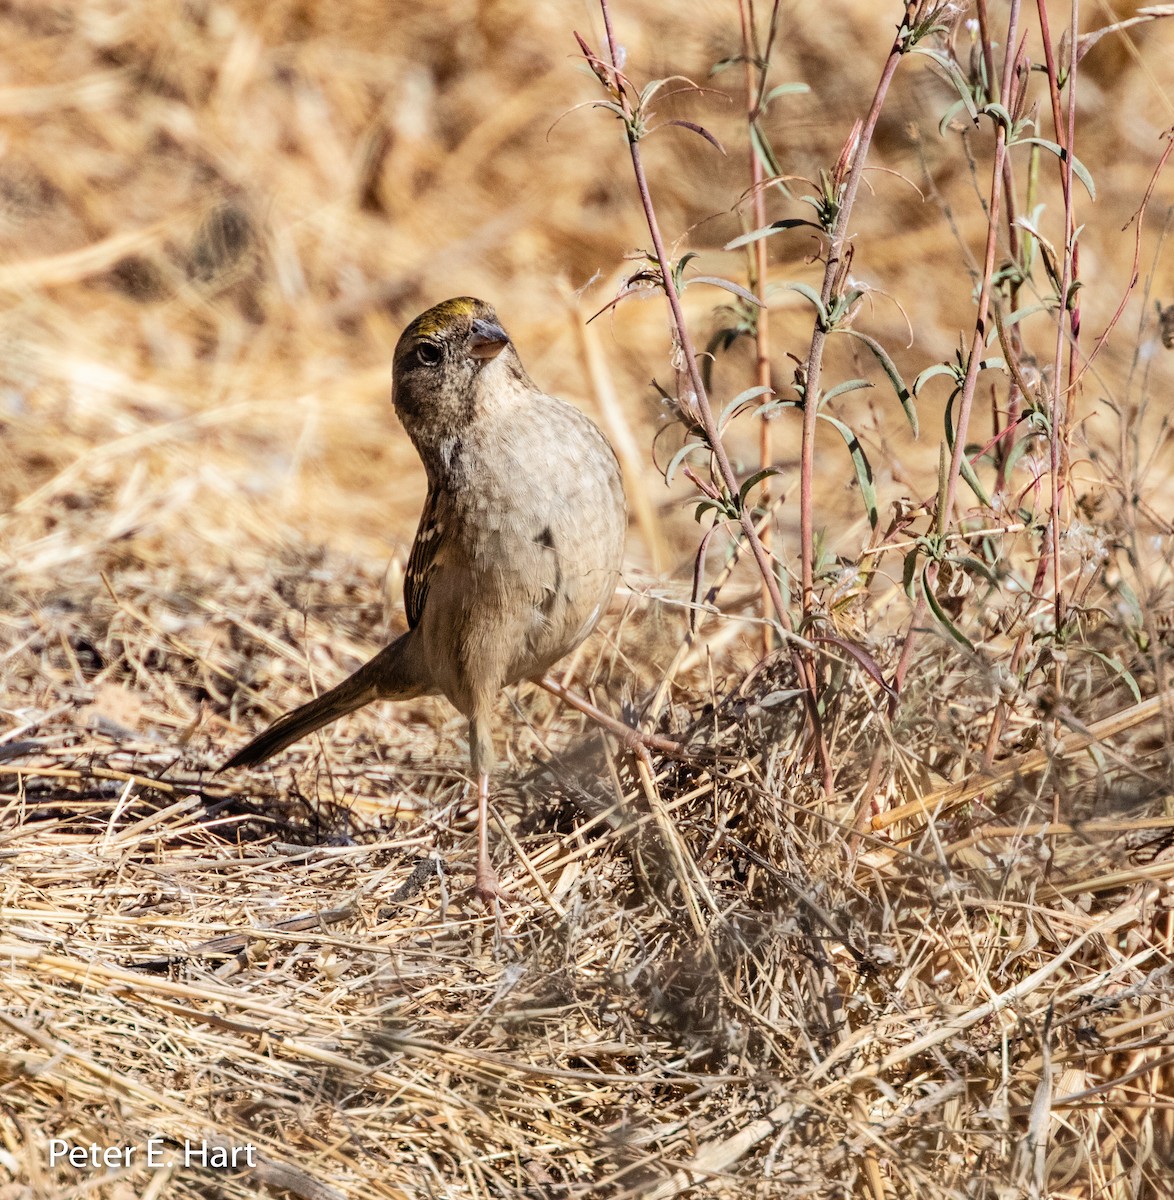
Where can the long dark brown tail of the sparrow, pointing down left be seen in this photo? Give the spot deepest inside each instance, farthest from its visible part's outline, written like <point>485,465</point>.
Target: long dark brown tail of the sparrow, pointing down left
<point>392,675</point>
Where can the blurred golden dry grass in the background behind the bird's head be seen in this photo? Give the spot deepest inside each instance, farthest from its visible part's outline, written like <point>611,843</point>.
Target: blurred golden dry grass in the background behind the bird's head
<point>215,219</point>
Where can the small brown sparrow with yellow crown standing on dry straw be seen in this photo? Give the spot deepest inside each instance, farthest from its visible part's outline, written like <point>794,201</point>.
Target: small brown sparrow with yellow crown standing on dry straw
<point>519,545</point>
